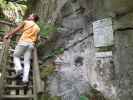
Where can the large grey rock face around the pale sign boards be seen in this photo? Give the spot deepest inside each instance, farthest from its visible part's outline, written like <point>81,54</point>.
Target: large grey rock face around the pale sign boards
<point>79,69</point>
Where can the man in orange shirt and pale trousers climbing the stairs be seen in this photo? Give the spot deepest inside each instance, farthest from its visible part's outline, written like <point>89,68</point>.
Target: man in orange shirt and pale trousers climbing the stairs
<point>29,30</point>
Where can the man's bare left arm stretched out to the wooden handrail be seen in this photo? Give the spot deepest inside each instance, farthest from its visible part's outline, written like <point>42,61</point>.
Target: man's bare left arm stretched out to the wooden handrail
<point>17,29</point>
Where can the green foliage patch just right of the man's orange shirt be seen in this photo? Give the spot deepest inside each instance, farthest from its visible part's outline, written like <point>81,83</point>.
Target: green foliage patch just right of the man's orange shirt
<point>46,29</point>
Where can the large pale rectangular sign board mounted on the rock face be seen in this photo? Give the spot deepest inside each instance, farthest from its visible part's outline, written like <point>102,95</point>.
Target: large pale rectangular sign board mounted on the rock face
<point>103,32</point>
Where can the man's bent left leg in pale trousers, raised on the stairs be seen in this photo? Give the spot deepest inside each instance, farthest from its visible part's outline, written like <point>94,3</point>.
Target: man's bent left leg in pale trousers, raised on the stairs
<point>19,50</point>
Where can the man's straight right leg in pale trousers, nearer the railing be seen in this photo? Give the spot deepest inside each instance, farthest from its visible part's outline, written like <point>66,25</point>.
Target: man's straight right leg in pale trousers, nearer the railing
<point>27,58</point>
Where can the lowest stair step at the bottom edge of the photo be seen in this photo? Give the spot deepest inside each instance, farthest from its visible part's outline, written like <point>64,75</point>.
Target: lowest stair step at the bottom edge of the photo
<point>17,97</point>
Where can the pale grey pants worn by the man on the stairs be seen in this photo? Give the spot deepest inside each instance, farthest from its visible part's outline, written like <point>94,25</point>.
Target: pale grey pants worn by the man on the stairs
<point>25,50</point>
